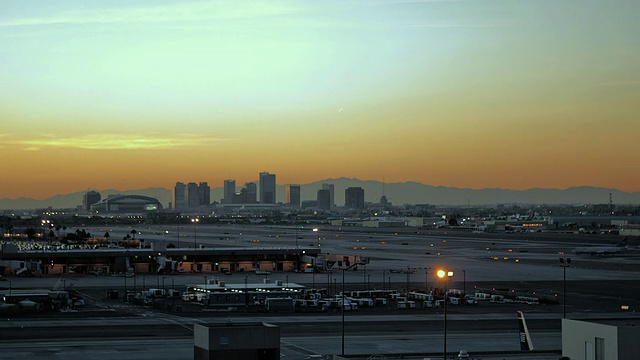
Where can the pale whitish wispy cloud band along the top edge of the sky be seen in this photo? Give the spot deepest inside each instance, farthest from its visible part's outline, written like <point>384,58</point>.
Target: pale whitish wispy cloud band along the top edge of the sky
<point>216,14</point>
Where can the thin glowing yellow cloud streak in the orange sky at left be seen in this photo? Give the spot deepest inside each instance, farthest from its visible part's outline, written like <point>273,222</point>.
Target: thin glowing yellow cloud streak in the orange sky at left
<point>117,142</point>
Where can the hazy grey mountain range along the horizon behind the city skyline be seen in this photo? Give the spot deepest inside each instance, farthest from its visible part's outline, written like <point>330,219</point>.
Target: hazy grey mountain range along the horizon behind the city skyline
<point>396,193</point>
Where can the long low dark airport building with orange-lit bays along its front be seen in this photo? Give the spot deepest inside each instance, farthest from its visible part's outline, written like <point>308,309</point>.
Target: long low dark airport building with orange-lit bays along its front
<point>153,260</point>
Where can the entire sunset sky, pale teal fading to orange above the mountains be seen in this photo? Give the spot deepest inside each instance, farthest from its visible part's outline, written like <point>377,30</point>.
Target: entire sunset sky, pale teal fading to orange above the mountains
<point>510,94</point>
